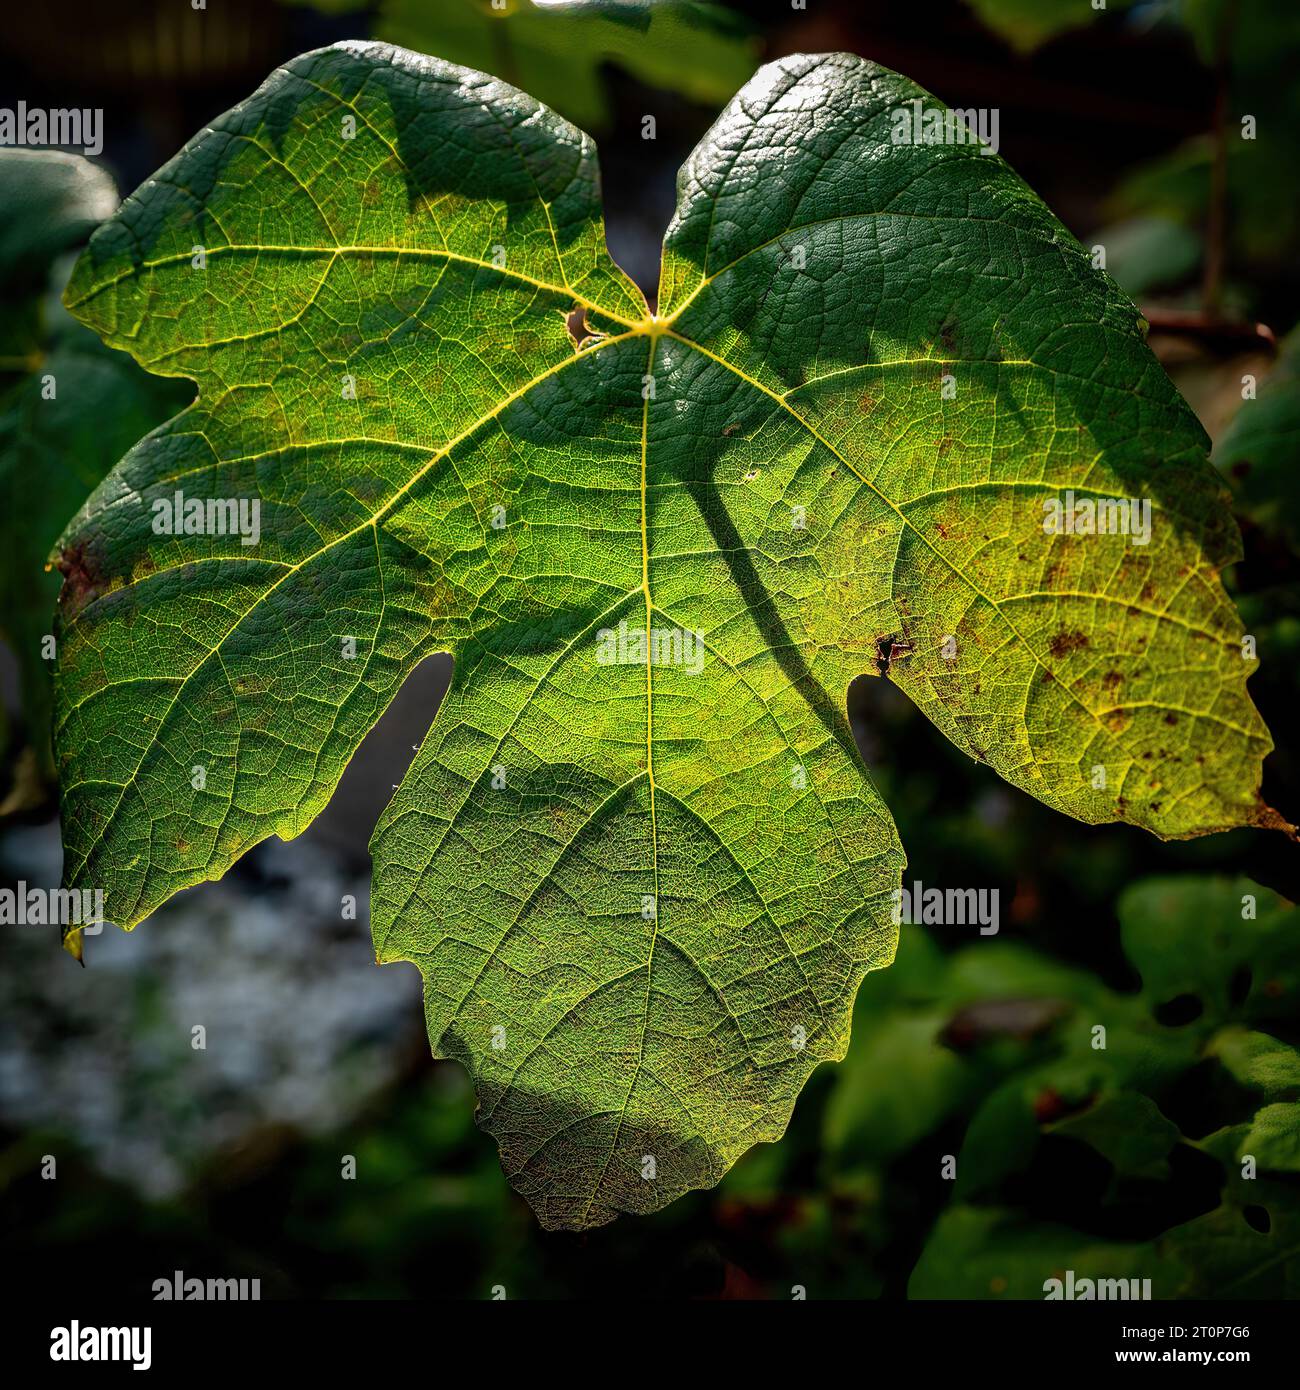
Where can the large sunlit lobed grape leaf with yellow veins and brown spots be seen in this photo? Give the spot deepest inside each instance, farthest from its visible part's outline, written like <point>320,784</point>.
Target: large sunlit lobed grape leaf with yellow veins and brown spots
<point>642,883</point>
